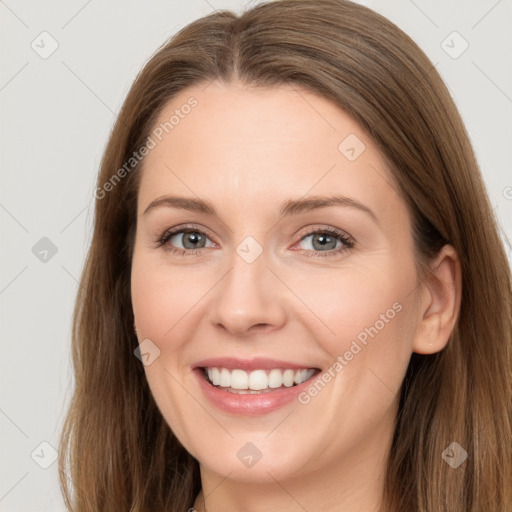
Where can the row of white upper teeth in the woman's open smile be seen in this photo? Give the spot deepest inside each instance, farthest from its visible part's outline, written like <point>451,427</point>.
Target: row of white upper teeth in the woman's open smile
<point>257,380</point>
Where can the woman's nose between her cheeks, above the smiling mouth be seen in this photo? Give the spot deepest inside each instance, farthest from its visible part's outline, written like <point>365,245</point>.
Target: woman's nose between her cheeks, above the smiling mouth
<point>249,298</point>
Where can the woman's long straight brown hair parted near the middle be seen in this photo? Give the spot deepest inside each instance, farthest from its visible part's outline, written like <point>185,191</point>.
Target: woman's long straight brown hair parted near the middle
<point>117,452</point>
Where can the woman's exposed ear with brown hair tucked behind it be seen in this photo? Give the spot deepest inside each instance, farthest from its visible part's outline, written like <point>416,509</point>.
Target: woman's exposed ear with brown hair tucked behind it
<point>439,302</point>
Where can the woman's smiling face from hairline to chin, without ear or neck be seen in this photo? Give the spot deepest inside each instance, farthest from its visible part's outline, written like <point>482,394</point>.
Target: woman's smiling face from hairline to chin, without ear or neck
<point>291,253</point>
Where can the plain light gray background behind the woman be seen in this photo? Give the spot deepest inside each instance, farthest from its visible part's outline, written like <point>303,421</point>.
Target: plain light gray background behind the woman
<point>57,114</point>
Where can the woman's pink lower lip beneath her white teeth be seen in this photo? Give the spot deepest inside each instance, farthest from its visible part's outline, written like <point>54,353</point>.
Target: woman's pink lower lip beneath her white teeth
<point>249,404</point>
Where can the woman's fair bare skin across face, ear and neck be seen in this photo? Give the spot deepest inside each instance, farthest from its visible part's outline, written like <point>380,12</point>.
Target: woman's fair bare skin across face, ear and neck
<point>247,150</point>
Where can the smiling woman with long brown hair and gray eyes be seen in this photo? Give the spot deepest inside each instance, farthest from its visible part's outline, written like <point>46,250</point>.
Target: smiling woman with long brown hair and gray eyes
<point>296,297</point>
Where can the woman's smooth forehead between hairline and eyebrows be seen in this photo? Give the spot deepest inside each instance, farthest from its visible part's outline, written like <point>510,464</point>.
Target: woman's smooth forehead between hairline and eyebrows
<point>244,143</point>
